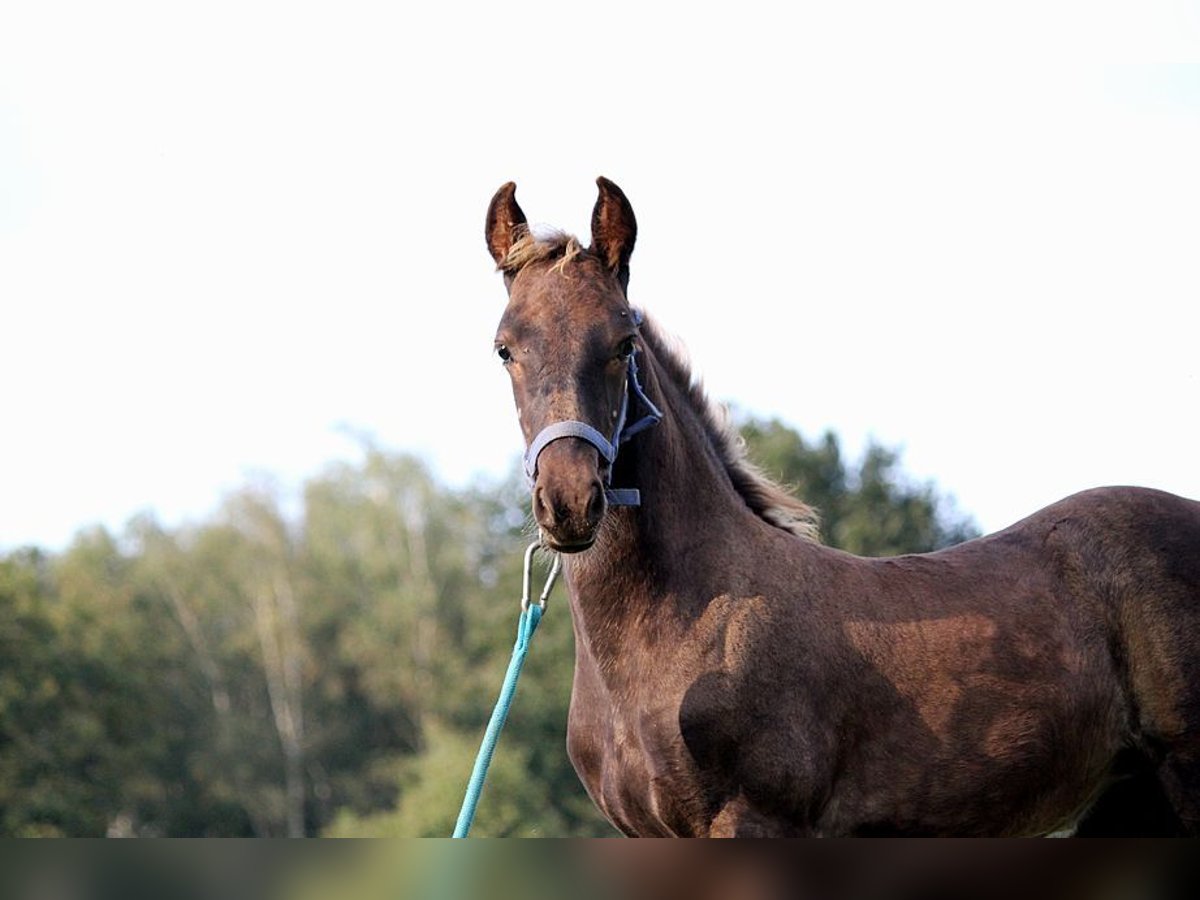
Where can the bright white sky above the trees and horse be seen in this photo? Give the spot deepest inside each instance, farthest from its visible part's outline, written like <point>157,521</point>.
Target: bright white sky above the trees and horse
<point>238,237</point>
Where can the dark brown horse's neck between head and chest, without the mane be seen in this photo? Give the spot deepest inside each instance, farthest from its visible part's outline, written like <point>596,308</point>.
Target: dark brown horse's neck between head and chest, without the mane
<point>659,561</point>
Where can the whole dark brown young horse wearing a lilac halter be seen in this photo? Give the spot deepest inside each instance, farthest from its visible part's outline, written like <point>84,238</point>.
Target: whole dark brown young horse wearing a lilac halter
<point>735,677</point>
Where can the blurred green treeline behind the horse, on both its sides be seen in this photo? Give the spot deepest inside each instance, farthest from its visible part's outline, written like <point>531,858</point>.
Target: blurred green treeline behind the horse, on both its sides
<point>326,667</point>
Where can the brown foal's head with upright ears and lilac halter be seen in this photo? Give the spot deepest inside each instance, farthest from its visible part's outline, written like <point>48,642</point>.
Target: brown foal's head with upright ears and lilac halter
<point>569,341</point>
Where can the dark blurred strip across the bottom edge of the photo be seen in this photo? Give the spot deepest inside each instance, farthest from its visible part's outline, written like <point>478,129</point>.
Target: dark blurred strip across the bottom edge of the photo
<point>602,871</point>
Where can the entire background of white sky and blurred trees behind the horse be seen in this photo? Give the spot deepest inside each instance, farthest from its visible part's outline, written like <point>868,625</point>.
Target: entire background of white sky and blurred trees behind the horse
<point>260,520</point>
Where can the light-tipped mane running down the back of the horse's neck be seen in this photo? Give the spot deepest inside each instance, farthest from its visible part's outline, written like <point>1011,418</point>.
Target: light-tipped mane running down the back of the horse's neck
<point>769,500</point>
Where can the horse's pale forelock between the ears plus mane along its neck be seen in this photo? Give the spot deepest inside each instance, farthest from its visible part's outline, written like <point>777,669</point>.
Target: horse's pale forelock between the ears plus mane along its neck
<point>770,501</point>
